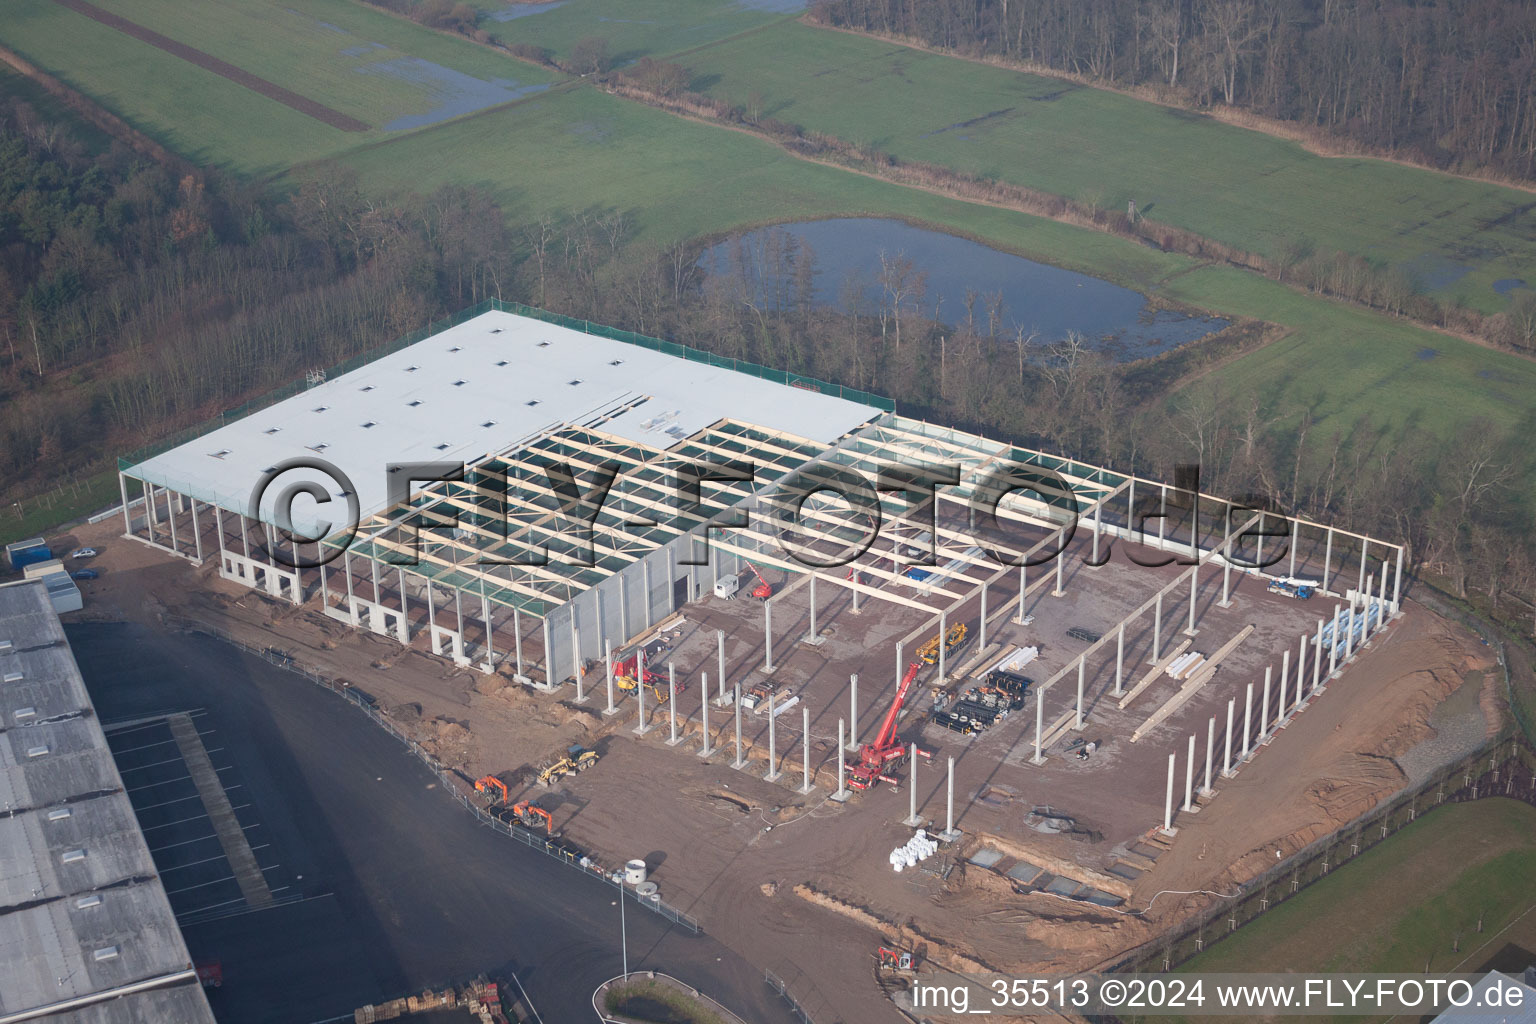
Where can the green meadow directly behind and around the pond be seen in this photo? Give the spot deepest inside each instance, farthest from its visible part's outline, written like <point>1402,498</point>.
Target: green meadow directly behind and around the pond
<point>681,180</point>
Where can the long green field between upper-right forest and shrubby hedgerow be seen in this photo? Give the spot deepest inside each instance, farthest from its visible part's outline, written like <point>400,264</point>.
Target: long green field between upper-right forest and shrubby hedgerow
<point>1242,188</point>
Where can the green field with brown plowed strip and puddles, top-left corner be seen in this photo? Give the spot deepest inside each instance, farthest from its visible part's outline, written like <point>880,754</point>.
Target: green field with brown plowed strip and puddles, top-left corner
<point>391,74</point>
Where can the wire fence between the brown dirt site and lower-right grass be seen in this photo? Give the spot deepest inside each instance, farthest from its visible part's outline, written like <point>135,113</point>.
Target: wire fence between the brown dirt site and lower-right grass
<point>1501,768</point>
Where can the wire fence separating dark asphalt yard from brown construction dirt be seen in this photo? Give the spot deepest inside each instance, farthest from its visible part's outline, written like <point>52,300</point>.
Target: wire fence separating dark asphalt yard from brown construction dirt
<point>554,847</point>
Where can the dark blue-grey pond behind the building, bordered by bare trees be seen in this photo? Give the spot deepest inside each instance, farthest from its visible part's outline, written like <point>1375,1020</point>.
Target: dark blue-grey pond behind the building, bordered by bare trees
<point>1039,299</point>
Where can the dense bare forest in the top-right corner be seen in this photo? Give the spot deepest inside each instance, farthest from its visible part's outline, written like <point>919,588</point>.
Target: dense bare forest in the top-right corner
<point>1449,84</point>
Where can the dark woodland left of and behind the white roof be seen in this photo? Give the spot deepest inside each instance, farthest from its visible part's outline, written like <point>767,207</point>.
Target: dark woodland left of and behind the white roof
<point>136,302</point>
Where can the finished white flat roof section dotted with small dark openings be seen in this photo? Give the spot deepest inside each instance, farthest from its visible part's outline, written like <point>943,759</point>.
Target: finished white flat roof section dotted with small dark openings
<point>485,388</point>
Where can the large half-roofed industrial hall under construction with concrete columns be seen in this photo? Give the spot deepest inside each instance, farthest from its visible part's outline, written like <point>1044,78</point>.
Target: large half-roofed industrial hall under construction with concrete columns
<point>603,491</point>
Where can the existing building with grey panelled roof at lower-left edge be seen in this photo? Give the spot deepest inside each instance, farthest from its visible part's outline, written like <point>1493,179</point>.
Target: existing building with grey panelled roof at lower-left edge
<point>87,933</point>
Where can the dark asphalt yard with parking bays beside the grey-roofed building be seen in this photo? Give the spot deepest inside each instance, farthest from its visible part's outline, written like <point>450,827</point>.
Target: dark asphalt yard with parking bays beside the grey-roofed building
<point>391,885</point>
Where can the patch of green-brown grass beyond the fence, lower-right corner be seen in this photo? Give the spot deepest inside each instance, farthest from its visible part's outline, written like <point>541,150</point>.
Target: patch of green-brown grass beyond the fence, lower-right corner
<point>1402,905</point>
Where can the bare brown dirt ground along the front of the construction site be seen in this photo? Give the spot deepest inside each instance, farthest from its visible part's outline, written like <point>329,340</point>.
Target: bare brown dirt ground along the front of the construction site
<point>799,884</point>
